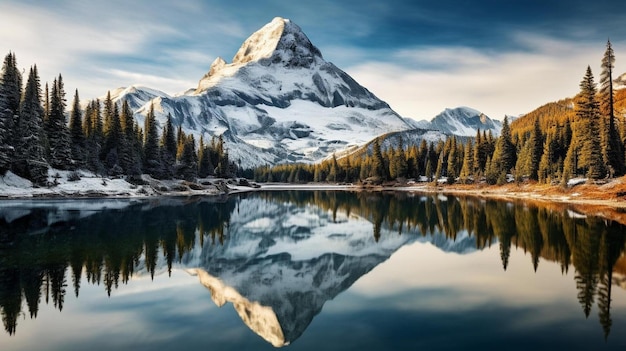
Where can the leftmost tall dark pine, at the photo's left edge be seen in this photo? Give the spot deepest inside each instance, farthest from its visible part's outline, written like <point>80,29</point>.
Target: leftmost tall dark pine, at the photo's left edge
<point>10,93</point>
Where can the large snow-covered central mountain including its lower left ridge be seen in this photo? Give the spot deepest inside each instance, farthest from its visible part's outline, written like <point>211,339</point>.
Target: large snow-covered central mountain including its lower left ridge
<point>277,101</point>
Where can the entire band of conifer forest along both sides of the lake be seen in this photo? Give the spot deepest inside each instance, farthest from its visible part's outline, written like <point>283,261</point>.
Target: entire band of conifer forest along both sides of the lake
<point>570,138</point>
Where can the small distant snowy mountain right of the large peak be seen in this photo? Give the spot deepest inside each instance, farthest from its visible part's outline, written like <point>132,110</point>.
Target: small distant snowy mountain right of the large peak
<point>461,121</point>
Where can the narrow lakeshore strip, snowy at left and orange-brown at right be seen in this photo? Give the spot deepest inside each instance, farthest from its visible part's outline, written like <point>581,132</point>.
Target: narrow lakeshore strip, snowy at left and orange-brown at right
<point>607,200</point>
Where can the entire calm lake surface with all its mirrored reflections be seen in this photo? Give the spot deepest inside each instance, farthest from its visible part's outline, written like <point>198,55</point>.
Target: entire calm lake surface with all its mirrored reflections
<point>309,271</point>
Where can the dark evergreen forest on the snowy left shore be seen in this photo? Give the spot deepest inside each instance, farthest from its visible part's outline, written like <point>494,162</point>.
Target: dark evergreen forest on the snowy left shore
<point>35,135</point>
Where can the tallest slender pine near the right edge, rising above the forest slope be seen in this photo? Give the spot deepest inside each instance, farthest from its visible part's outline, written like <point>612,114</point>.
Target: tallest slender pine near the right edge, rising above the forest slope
<point>612,146</point>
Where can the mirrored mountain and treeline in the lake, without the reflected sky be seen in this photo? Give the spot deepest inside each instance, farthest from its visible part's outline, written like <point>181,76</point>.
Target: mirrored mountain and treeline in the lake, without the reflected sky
<point>279,257</point>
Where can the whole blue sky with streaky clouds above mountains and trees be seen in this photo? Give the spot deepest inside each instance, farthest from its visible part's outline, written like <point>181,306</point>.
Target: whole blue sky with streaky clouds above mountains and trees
<point>421,56</point>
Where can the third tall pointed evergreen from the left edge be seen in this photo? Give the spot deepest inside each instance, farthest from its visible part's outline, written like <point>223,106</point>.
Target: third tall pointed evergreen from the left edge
<point>58,133</point>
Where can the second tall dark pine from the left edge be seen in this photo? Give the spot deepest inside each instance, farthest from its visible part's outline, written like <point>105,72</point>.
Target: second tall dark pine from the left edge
<point>29,161</point>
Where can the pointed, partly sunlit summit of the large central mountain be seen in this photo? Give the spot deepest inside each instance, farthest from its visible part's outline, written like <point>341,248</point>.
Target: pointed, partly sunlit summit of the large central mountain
<point>278,41</point>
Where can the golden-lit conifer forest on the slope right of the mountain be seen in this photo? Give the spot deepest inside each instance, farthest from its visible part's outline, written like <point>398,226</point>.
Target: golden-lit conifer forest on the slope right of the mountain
<point>570,138</point>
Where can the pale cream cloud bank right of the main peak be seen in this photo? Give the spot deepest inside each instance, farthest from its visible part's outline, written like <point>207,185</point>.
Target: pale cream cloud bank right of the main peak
<point>512,82</point>
